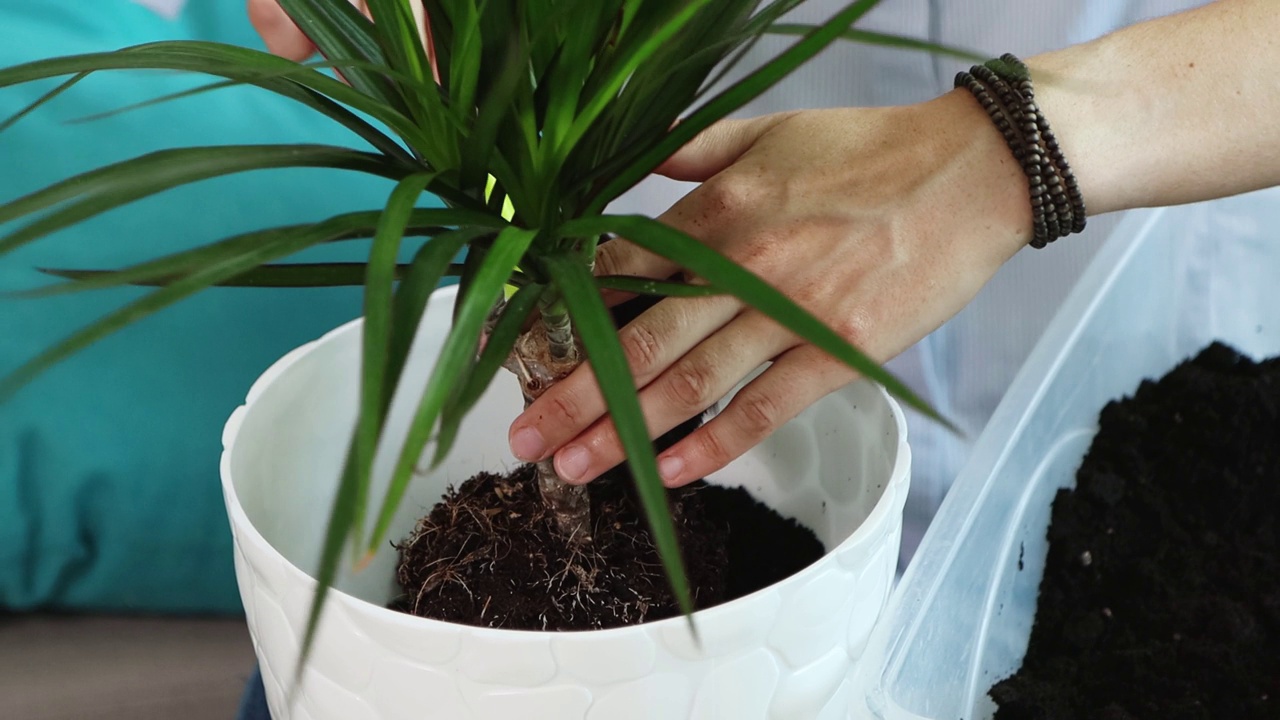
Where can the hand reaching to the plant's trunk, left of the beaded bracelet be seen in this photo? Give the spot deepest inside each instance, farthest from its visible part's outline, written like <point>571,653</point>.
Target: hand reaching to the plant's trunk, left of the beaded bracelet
<point>881,222</point>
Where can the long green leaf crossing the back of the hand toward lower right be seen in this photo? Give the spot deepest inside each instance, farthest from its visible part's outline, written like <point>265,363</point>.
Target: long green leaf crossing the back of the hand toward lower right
<point>729,276</point>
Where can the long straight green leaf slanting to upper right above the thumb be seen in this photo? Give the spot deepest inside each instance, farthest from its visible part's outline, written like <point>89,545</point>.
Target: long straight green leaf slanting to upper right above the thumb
<point>734,98</point>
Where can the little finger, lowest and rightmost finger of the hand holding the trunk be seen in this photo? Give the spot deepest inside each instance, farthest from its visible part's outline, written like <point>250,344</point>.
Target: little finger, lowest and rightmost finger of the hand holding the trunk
<point>799,379</point>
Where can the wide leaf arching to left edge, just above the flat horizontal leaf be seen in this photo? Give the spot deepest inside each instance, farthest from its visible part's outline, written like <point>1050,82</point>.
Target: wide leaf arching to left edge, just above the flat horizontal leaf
<point>106,189</point>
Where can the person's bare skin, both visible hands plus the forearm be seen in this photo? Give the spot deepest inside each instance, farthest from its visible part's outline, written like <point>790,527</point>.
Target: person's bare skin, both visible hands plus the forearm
<point>886,222</point>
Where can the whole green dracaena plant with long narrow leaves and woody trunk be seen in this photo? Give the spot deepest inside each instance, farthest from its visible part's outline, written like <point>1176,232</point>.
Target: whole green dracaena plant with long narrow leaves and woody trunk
<point>527,119</point>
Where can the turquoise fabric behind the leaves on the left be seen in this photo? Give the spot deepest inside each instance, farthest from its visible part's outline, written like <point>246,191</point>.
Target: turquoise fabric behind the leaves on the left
<point>109,491</point>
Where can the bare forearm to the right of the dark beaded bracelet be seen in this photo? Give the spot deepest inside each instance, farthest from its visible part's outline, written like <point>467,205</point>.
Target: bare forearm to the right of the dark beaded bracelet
<point>1178,110</point>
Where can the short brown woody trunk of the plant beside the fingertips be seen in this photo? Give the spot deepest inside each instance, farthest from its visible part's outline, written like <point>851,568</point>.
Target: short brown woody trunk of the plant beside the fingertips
<point>543,357</point>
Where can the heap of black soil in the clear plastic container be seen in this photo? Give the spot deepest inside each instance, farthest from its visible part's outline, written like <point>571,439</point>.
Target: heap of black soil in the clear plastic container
<point>1162,593</point>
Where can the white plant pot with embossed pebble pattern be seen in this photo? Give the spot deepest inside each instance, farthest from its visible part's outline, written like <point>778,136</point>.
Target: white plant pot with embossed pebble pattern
<point>784,653</point>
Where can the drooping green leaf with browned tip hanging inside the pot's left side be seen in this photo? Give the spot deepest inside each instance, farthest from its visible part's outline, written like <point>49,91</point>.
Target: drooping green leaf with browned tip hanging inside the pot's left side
<point>459,352</point>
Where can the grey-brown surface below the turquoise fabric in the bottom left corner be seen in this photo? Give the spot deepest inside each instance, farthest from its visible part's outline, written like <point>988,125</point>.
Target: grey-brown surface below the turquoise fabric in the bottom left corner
<point>56,668</point>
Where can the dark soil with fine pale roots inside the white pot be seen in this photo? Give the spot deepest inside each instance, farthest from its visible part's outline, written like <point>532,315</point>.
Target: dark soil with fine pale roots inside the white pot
<point>490,554</point>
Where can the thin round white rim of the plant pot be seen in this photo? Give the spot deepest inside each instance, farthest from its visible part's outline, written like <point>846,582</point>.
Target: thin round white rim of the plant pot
<point>892,500</point>
